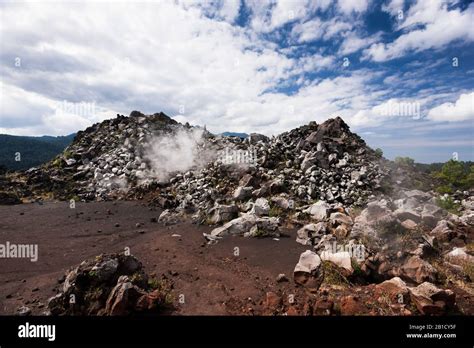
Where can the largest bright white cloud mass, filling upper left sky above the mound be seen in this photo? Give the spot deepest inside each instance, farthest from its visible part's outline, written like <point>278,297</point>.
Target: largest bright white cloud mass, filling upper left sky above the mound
<point>162,56</point>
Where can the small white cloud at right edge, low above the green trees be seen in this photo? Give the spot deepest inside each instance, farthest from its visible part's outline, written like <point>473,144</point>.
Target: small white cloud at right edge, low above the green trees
<point>462,109</point>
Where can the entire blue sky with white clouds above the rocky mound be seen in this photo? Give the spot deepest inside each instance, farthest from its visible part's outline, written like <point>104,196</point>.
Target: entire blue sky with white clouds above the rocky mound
<point>400,73</point>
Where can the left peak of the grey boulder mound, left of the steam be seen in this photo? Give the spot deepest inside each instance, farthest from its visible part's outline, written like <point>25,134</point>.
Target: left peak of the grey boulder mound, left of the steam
<point>103,160</point>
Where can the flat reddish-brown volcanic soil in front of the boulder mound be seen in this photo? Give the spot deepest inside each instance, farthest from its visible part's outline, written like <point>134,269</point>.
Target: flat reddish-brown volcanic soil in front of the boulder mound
<point>207,275</point>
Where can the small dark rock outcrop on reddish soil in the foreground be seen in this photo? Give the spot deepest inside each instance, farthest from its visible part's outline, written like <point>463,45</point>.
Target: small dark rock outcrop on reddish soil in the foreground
<point>110,285</point>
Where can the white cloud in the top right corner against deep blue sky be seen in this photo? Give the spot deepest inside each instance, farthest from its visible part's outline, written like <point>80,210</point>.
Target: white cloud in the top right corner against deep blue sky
<point>440,26</point>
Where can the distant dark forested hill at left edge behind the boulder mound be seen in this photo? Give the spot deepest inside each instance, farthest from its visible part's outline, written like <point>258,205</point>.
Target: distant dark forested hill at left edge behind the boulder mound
<point>33,150</point>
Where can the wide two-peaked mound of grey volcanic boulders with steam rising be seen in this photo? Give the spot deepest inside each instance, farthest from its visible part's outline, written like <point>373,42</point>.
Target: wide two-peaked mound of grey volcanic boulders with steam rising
<point>131,156</point>
